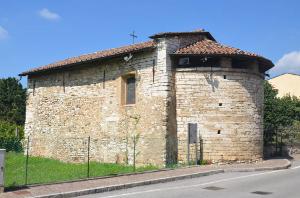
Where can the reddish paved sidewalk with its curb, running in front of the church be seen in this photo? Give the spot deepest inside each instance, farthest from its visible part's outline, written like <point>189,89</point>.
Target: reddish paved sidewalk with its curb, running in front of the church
<point>71,189</point>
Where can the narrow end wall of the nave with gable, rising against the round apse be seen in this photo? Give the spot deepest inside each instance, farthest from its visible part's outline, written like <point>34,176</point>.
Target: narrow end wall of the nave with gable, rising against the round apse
<point>165,47</point>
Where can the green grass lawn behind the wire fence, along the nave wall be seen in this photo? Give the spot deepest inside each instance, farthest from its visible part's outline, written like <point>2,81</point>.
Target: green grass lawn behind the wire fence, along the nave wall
<point>45,170</point>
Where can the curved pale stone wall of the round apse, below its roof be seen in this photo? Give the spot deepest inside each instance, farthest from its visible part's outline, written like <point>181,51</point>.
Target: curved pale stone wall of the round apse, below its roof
<point>225,101</point>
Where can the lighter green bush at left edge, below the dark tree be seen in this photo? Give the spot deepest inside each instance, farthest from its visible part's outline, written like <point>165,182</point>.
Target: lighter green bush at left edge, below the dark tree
<point>9,140</point>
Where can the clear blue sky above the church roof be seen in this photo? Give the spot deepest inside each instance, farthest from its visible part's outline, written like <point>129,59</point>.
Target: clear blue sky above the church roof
<point>34,33</point>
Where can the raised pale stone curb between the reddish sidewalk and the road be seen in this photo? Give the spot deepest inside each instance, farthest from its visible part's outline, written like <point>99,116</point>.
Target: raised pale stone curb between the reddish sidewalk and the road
<point>128,185</point>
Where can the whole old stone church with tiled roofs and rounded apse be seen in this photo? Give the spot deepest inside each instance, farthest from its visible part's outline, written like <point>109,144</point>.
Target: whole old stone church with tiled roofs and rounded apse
<point>173,91</point>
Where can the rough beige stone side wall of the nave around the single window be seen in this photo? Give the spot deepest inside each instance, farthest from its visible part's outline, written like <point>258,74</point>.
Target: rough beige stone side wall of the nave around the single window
<point>65,107</point>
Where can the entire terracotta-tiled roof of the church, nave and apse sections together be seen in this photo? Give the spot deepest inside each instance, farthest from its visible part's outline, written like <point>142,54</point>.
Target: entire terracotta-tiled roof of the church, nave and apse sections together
<point>207,46</point>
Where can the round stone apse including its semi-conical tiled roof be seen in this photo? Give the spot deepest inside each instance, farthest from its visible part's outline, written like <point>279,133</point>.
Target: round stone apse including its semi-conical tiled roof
<point>220,90</point>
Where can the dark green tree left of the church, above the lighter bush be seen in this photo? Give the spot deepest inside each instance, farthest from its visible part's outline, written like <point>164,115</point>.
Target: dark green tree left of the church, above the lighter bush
<point>12,101</point>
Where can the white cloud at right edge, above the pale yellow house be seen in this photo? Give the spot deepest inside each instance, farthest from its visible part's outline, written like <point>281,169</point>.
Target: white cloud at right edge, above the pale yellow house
<point>288,63</point>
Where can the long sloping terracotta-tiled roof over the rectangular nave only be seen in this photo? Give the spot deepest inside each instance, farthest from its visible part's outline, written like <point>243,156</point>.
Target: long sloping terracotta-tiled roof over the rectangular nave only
<point>114,52</point>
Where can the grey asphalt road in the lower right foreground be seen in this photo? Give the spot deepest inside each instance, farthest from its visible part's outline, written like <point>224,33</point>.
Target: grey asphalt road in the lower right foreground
<point>278,184</point>
